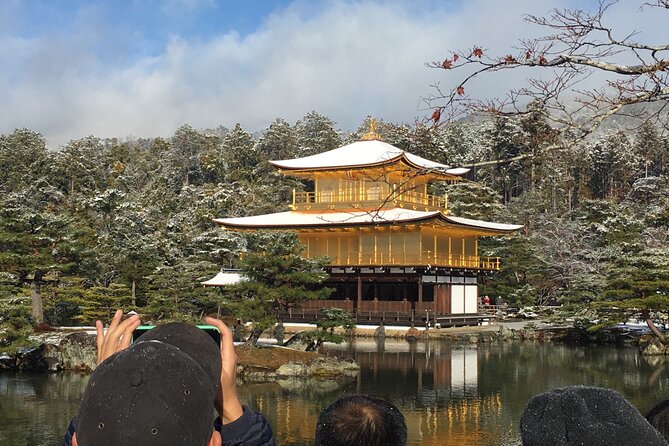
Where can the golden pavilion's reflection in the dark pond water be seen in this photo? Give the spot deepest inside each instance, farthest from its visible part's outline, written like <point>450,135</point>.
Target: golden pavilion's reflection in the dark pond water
<point>434,385</point>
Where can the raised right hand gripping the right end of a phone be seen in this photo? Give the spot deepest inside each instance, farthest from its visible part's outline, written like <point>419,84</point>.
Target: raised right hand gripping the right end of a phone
<point>227,402</point>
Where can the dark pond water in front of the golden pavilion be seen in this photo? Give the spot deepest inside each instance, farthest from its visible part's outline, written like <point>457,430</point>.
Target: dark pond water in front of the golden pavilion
<point>450,395</point>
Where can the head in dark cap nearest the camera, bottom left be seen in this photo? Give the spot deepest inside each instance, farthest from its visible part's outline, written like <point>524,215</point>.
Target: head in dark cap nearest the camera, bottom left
<point>149,393</point>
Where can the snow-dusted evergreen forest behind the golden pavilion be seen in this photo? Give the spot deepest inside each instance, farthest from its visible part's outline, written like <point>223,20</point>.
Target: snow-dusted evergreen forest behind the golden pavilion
<point>100,224</point>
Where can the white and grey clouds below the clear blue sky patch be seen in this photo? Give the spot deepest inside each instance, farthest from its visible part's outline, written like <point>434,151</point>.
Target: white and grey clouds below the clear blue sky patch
<point>345,61</point>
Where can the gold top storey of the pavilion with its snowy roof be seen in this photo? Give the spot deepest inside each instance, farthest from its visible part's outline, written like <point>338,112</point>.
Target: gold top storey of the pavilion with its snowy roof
<point>368,174</point>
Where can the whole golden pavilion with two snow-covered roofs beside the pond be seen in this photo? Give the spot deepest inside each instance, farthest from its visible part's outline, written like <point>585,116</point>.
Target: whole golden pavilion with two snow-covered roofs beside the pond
<point>396,254</point>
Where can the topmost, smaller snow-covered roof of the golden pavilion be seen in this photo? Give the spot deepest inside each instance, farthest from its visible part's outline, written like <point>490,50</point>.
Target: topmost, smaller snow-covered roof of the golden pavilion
<point>364,153</point>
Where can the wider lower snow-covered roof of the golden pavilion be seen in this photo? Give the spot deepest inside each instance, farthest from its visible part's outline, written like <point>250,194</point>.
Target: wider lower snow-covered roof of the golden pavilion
<point>297,219</point>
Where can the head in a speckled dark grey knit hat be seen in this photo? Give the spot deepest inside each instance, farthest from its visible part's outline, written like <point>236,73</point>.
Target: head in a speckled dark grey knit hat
<point>581,415</point>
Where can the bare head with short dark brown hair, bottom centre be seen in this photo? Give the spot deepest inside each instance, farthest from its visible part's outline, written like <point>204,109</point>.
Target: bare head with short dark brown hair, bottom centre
<point>367,420</point>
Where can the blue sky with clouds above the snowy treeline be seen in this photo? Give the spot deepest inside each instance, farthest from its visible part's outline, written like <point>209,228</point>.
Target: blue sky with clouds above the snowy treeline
<point>143,68</point>
